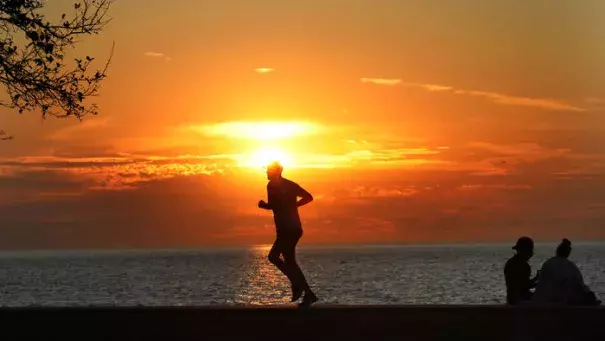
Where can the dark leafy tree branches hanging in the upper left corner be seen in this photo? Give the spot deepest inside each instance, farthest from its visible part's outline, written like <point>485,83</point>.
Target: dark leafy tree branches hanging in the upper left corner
<point>33,63</point>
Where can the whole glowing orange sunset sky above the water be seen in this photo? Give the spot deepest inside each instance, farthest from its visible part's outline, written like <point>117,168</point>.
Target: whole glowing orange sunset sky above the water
<point>410,121</point>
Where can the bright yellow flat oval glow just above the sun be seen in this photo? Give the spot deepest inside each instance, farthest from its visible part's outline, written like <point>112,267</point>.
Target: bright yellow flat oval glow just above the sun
<point>259,130</point>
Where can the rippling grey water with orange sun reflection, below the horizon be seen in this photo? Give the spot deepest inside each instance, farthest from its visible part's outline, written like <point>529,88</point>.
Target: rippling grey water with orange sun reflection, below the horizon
<point>458,274</point>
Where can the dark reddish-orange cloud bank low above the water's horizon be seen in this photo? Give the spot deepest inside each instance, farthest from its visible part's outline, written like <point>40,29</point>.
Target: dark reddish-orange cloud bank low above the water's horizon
<point>70,203</point>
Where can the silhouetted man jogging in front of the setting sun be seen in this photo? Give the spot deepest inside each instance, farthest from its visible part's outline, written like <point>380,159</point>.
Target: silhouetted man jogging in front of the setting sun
<point>283,200</point>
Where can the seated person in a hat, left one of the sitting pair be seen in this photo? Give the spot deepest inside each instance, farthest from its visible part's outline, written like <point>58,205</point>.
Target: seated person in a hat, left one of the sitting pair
<point>517,273</point>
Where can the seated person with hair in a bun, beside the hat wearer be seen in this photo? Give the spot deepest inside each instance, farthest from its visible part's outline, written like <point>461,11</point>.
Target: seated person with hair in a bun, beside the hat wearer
<point>561,281</point>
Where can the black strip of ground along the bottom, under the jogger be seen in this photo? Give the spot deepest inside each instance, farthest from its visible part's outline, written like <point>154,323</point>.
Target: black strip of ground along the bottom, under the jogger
<point>316,323</point>
